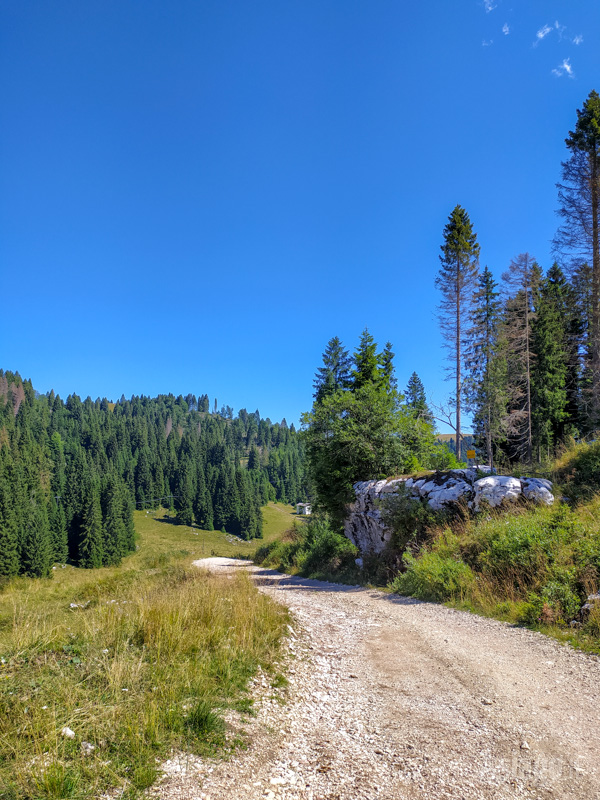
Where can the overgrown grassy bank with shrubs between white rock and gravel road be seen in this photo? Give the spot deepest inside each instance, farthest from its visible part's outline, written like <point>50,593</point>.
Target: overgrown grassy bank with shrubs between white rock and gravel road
<point>525,564</point>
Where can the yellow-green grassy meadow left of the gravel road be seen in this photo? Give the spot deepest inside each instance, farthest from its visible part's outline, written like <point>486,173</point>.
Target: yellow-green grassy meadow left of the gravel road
<point>103,672</point>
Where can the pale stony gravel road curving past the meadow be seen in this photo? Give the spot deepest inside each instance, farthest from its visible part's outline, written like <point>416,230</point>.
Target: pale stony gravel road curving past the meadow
<point>393,698</point>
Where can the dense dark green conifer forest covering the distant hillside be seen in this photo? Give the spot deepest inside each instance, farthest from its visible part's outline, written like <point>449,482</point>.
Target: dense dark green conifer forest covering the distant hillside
<point>71,473</point>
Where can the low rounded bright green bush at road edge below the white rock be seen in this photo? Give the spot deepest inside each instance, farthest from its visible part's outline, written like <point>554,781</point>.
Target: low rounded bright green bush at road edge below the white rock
<point>433,577</point>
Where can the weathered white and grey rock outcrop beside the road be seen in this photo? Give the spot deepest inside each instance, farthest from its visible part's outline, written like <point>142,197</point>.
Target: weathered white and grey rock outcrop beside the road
<point>364,524</point>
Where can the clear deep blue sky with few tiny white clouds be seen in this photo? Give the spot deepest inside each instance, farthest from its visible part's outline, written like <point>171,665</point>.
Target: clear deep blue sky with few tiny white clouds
<point>195,196</point>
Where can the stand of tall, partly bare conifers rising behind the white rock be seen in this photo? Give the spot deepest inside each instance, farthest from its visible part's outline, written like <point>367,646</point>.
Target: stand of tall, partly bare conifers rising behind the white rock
<point>525,353</point>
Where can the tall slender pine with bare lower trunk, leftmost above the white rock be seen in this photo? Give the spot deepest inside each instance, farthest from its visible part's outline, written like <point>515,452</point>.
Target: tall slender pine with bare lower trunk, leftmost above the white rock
<point>456,281</point>
